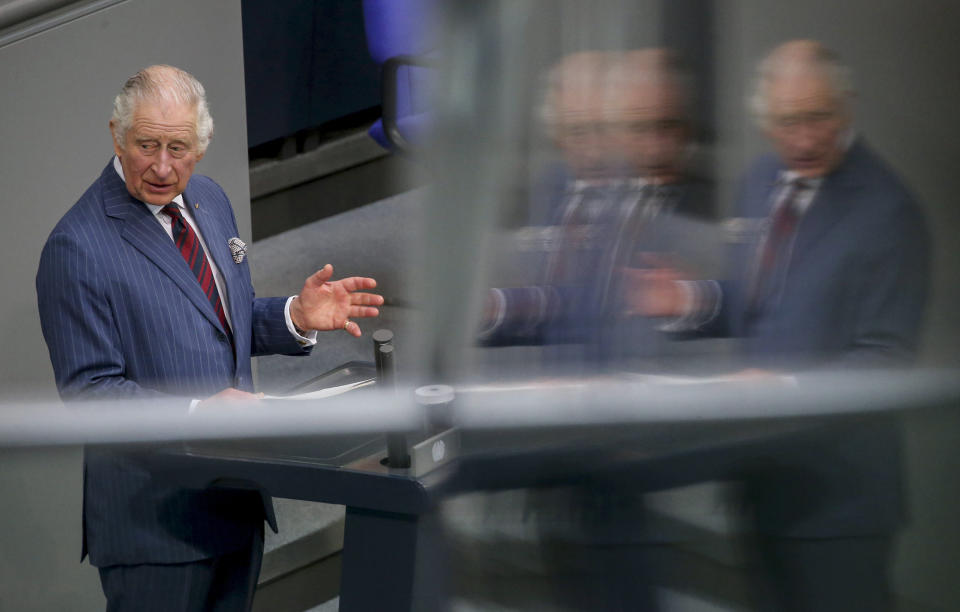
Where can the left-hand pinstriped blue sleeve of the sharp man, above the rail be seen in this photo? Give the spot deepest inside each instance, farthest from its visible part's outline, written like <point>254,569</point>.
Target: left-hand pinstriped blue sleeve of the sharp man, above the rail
<point>78,325</point>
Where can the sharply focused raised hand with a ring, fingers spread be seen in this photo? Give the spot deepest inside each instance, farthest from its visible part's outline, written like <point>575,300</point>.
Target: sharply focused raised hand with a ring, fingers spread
<point>326,305</point>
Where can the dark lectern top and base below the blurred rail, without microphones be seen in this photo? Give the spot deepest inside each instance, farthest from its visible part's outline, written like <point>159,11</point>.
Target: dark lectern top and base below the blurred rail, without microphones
<point>389,512</point>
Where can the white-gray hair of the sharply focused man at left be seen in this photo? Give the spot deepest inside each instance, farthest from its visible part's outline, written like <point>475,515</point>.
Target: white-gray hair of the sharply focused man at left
<point>162,83</point>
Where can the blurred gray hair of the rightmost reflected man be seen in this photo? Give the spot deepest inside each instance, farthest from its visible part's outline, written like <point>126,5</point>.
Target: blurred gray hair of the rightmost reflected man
<point>800,55</point>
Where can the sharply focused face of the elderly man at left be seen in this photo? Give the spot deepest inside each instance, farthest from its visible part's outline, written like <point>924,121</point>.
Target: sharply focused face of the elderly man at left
<point>159,151</point>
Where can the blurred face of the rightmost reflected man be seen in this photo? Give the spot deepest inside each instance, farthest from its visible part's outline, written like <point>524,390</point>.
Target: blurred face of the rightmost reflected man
<point>806,122</point>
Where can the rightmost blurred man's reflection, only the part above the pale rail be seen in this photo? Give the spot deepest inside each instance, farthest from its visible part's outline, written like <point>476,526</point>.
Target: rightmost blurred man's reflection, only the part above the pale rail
<point>831,269</point>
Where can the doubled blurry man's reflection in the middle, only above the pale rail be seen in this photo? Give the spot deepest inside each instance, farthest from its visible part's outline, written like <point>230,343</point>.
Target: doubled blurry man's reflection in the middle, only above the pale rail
<point>620,122</point>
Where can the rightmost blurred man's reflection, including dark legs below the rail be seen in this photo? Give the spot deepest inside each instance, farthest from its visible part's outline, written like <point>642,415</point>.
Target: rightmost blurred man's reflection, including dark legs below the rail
<point>831,274</point>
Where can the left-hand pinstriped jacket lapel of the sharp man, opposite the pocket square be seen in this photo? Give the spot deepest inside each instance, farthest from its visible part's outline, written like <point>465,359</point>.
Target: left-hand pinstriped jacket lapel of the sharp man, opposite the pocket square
<point>144,233</point>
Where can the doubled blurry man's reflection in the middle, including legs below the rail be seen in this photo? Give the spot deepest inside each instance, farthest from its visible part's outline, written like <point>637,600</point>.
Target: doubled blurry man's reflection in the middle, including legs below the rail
<point>624,194</point>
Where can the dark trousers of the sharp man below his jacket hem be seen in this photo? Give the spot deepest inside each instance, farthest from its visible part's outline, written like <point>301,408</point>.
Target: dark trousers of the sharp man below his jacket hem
<point>221,584</point>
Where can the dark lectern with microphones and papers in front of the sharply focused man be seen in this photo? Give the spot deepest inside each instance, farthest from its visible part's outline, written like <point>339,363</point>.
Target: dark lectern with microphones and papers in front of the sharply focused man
<point>391,526</point>
